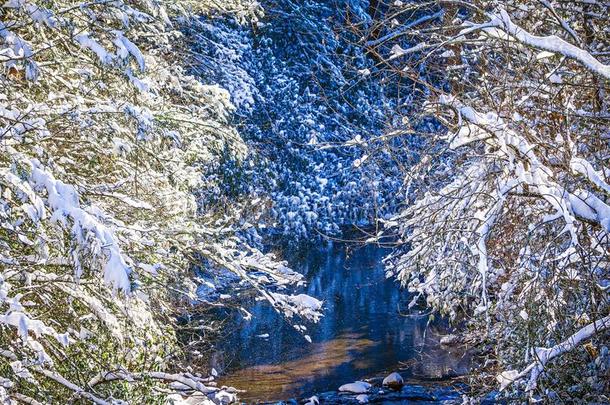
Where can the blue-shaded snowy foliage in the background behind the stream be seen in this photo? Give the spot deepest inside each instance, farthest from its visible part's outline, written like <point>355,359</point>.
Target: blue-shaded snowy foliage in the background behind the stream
<point>308,104</point>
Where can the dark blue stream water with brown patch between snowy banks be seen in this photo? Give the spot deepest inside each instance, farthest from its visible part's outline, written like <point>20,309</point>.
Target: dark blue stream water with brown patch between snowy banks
<point>362,333</point>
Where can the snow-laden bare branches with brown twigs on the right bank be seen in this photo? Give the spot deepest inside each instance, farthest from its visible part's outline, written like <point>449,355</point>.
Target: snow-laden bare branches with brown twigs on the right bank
<point>510,223</point>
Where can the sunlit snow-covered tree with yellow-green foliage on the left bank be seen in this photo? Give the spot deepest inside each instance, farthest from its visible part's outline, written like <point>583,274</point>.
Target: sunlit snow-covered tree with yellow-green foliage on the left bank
<point>104,137</point>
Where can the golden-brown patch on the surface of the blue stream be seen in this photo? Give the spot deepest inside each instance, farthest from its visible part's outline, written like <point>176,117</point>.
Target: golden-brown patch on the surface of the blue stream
<point>273,381</point>
